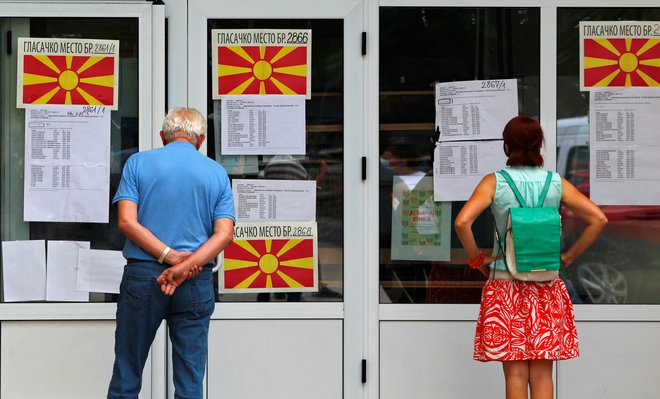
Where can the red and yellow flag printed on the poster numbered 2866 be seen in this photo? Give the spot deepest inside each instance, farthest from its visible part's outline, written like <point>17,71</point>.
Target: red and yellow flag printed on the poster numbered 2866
<point>262,70</point>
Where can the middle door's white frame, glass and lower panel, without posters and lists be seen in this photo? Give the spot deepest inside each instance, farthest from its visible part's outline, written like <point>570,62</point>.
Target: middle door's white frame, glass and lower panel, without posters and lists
<point>335,134</point>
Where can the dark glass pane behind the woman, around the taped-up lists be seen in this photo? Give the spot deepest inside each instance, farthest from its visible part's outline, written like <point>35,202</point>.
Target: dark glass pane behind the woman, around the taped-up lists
<point>419,47</point>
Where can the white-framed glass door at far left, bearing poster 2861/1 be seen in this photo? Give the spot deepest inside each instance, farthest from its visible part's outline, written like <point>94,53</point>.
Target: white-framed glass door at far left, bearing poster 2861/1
<point>70,336</point>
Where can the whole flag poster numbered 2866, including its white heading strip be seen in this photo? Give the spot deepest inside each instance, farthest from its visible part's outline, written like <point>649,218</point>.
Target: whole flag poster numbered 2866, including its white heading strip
<point>261,61</point>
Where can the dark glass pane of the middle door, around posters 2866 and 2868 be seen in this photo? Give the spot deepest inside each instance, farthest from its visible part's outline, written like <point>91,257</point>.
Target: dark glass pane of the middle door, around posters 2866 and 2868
<point>324,157</point>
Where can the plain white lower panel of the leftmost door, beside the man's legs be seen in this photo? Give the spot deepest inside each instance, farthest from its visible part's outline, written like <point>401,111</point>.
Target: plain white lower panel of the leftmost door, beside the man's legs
<point>59,360</point>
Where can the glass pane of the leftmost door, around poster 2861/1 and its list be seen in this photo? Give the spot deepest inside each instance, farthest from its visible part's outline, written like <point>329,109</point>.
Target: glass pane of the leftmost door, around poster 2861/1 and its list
<point>124,132</point>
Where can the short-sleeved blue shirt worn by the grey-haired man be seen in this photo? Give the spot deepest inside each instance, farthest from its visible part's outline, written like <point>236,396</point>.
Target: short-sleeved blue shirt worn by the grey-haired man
<point>179,193</point>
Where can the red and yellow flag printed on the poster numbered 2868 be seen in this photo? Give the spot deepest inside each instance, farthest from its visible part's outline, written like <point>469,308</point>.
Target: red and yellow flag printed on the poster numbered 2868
<point>270,265</point>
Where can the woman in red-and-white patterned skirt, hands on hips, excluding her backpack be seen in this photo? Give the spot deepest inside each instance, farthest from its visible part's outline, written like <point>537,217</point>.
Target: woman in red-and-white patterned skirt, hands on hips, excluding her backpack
<point>525,325</point>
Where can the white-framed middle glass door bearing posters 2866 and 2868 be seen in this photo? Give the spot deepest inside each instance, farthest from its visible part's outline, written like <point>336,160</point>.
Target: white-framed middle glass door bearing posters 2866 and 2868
<point>313,52</point>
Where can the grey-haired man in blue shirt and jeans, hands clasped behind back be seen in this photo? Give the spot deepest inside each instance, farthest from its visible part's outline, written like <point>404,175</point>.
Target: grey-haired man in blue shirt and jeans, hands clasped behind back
<point>175,208</point>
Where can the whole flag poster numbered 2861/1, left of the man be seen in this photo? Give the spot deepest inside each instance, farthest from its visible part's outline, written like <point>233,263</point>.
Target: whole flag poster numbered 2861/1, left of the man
<point>67,71</point>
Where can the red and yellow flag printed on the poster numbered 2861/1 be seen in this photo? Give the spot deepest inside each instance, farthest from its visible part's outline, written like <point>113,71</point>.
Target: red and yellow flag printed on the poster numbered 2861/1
<point>77,80</point>
